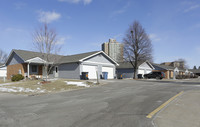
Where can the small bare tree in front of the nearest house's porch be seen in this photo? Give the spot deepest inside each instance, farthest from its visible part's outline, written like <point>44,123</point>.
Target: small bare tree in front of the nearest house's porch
<point>45,41</point>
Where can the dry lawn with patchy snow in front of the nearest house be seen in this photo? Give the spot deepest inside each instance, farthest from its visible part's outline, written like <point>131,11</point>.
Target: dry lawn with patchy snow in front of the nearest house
<point>35,87</point>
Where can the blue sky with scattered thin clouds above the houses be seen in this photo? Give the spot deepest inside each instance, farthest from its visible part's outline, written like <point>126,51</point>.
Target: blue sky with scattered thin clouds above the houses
<point>83,25</point>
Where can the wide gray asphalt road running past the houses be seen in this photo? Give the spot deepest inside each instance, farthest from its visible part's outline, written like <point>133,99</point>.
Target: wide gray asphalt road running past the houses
<point>119,103</point>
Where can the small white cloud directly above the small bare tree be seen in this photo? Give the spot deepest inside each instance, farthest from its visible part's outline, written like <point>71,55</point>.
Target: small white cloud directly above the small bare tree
<point>48,16</point>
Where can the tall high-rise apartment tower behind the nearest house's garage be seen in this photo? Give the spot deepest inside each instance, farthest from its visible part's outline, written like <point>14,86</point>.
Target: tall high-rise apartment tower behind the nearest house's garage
<point>114,49</point>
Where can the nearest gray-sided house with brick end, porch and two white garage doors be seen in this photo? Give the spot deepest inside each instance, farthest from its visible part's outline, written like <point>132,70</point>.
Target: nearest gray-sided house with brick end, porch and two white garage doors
<point>31,64</point>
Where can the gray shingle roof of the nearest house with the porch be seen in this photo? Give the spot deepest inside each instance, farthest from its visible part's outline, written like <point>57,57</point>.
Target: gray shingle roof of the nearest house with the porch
<point>26,55</point>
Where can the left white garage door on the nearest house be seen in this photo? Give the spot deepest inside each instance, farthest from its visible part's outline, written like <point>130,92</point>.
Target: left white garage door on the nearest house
<point>91,71</point>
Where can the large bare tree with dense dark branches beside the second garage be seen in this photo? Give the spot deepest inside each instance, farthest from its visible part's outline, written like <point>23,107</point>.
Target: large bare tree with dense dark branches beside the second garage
<point>137,46</point>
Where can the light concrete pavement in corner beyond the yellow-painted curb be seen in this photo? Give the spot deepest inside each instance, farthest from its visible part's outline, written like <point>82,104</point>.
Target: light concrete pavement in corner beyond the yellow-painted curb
<point>182,112</point>
